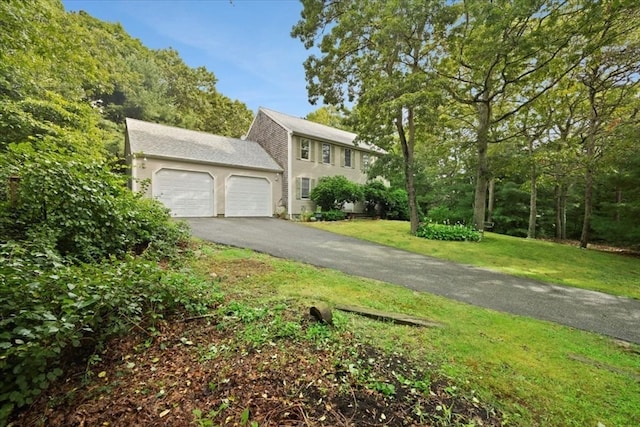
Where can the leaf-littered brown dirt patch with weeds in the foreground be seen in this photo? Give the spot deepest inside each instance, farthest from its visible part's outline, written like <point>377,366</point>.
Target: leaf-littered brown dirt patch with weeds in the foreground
<point>251,367</point>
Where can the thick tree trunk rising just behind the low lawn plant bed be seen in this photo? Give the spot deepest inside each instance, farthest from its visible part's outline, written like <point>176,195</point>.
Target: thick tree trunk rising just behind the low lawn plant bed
<point>482,176</point>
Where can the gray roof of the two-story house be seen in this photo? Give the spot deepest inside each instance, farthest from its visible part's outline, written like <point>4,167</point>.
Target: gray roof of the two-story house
<point>311,129</point>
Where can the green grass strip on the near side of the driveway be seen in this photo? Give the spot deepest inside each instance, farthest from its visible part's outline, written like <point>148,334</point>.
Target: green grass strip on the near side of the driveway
<point>537,373</point>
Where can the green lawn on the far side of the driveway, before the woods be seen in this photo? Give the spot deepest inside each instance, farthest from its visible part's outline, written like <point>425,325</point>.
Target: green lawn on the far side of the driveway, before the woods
<point>535,259</point>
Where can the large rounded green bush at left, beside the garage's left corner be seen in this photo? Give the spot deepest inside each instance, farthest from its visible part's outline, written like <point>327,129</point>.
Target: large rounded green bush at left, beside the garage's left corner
<point>81,209</point>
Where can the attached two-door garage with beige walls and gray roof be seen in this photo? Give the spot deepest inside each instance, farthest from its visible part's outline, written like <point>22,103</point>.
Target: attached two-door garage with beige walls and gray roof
<point>197,174</point>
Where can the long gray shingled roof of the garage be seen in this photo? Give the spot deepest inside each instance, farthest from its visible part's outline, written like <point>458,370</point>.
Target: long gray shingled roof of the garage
<point>163,141</point>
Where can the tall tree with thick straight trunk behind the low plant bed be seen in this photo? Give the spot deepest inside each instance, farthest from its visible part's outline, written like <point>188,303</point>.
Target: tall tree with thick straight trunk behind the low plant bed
<point>494,50</point>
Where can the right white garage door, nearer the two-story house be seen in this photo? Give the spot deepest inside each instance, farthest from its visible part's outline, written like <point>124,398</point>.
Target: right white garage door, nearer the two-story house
<point>248,196</point>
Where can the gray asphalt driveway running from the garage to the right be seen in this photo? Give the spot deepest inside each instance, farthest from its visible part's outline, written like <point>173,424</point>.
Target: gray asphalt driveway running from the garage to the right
<point>614,316</point>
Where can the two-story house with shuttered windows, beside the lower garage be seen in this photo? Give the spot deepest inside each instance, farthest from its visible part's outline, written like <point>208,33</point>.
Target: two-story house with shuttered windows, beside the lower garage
<point>308,151</point>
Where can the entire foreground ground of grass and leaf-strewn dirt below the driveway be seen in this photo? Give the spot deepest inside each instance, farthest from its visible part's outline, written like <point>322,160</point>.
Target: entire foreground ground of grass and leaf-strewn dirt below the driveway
<point>257,358</point>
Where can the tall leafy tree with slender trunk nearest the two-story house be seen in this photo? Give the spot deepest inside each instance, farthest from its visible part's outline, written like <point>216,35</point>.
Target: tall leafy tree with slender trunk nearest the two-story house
<point>375,53</point>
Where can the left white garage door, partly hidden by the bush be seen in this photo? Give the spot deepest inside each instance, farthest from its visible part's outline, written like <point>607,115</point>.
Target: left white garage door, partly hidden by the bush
<point>185,193</point>
